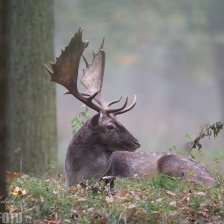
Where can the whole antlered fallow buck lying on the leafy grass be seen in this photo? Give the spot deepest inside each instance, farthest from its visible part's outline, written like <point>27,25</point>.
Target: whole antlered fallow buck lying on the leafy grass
<point>103,146</point>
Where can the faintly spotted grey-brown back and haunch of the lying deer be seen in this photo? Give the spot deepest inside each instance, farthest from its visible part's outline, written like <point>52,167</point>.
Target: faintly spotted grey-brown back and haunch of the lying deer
<point>148,164</point>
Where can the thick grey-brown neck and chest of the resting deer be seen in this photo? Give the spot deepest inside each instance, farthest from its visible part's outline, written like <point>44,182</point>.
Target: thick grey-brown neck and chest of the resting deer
<point>88,161</point>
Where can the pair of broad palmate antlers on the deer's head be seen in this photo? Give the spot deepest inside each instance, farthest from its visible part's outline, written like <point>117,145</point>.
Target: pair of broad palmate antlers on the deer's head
<point>65,73</point>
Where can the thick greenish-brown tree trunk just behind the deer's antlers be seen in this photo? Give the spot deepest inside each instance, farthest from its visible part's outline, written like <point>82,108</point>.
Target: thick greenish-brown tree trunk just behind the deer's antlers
<point>31,100</point>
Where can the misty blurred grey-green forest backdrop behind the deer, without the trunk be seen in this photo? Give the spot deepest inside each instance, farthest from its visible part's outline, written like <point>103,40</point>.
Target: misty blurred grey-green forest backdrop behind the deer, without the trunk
<point>169,53</point>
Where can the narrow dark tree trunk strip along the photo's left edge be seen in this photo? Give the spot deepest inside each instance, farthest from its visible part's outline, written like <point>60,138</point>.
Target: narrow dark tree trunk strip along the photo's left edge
<point>3,81</point>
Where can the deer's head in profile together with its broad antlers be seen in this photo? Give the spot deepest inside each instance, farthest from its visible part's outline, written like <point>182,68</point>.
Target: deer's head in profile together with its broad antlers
<point>103,128</point>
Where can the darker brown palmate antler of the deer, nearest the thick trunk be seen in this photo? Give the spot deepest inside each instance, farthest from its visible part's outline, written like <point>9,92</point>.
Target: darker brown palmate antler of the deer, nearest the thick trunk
<point>65,70</point>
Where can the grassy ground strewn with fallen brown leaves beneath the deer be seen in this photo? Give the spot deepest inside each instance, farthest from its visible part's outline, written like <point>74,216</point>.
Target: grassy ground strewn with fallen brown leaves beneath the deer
<point>132,200</point>
